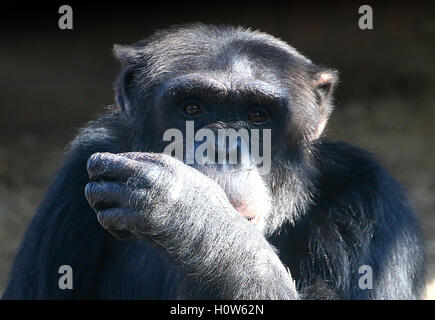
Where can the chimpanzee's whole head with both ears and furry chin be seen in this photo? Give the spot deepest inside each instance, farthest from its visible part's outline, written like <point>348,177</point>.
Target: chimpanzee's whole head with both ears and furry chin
<point>225,78</point>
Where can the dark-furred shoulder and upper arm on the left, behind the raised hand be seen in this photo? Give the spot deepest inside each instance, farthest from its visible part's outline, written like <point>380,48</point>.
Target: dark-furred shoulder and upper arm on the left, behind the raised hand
<point>65,231</point>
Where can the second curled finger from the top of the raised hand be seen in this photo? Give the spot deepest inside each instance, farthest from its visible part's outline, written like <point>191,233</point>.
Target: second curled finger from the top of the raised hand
<point>103,194</point>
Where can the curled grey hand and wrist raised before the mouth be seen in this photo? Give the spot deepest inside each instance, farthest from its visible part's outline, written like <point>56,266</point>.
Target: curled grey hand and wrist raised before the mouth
<point>134,194</point>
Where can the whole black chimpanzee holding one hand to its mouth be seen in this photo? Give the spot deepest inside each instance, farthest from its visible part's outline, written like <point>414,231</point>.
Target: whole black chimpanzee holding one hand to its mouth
<point>326,222</point>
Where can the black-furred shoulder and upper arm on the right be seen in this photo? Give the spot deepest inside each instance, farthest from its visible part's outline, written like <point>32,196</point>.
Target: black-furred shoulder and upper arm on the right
<point>360,206</point>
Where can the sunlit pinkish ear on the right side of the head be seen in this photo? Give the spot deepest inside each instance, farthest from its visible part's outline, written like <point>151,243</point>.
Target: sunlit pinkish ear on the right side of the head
<point>323,82</point>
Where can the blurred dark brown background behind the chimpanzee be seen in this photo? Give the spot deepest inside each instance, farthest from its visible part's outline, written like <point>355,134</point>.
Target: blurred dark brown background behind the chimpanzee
<point>53,81</point>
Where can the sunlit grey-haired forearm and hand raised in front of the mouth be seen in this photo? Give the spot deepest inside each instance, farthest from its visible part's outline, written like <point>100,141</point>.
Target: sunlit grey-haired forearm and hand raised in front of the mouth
<point>156,197</point>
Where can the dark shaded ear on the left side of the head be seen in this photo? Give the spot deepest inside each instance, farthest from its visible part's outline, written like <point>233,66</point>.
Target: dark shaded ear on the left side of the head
<point>128,56</point>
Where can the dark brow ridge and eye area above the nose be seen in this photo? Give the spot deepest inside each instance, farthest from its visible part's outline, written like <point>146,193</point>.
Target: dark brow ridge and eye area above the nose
<point>219,101</point>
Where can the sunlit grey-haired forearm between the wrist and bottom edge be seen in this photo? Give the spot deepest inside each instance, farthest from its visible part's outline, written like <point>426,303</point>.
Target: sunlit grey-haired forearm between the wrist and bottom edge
<point>218,247</point>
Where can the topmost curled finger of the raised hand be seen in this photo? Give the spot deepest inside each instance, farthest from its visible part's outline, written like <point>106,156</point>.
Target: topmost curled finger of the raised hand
<point>111,166</point>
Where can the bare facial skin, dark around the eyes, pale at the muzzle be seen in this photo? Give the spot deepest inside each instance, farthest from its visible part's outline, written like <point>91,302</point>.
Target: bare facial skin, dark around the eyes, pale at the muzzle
<point>223,101</point>
